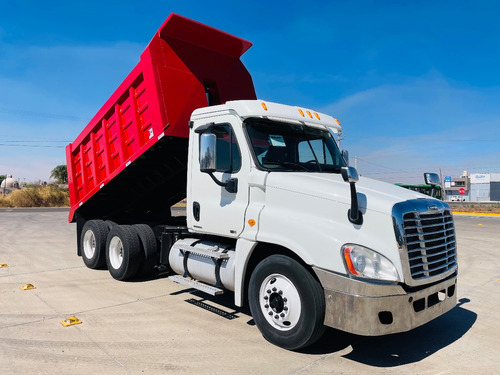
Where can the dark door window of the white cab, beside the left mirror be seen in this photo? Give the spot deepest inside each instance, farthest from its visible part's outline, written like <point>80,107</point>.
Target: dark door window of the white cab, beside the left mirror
<point>228,154</point>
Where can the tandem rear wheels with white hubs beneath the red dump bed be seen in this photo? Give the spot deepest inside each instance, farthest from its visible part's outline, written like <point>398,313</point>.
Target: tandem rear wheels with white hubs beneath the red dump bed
<point>125,250</point>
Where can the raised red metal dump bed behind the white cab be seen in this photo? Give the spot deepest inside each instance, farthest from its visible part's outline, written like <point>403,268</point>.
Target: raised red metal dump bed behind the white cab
<point>131,157</point>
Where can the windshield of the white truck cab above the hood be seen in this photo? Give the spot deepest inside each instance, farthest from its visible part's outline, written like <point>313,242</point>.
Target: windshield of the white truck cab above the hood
<point>279,146</point>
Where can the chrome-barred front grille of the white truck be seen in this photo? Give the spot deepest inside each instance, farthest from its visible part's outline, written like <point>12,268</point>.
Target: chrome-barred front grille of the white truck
<point>426,236</point>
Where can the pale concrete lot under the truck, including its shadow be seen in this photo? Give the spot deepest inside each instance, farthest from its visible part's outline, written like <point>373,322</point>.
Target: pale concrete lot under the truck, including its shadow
<point>153,326</point>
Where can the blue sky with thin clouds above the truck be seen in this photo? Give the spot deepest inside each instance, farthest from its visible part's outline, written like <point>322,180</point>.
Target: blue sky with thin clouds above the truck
<point>415,84</point>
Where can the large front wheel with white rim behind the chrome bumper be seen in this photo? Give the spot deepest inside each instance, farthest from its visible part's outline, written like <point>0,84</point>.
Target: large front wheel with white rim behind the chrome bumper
<point>287,303</point>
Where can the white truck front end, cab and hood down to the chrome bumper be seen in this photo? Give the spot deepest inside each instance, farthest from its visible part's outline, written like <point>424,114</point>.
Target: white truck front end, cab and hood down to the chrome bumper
<point>270,177</point>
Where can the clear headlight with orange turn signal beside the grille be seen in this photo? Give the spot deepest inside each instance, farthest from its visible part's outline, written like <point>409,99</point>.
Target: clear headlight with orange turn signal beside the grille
<point>363,262</point>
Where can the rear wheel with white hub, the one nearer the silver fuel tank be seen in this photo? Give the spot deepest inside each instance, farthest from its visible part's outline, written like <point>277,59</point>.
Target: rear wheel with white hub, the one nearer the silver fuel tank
<point>123,252</point>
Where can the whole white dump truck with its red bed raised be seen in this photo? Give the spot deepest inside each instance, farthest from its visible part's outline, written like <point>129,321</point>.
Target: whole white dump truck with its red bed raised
<point>274,214</point>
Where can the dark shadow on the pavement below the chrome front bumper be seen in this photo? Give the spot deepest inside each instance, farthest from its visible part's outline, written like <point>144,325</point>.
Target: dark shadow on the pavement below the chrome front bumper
<point>403,348</point>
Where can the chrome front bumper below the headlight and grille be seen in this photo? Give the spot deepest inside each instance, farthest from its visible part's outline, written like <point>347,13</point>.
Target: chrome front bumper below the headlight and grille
<point>377,309</point>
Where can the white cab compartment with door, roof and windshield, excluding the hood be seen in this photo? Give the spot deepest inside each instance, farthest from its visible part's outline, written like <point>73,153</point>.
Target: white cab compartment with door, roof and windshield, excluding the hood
<point>250,142</point>
